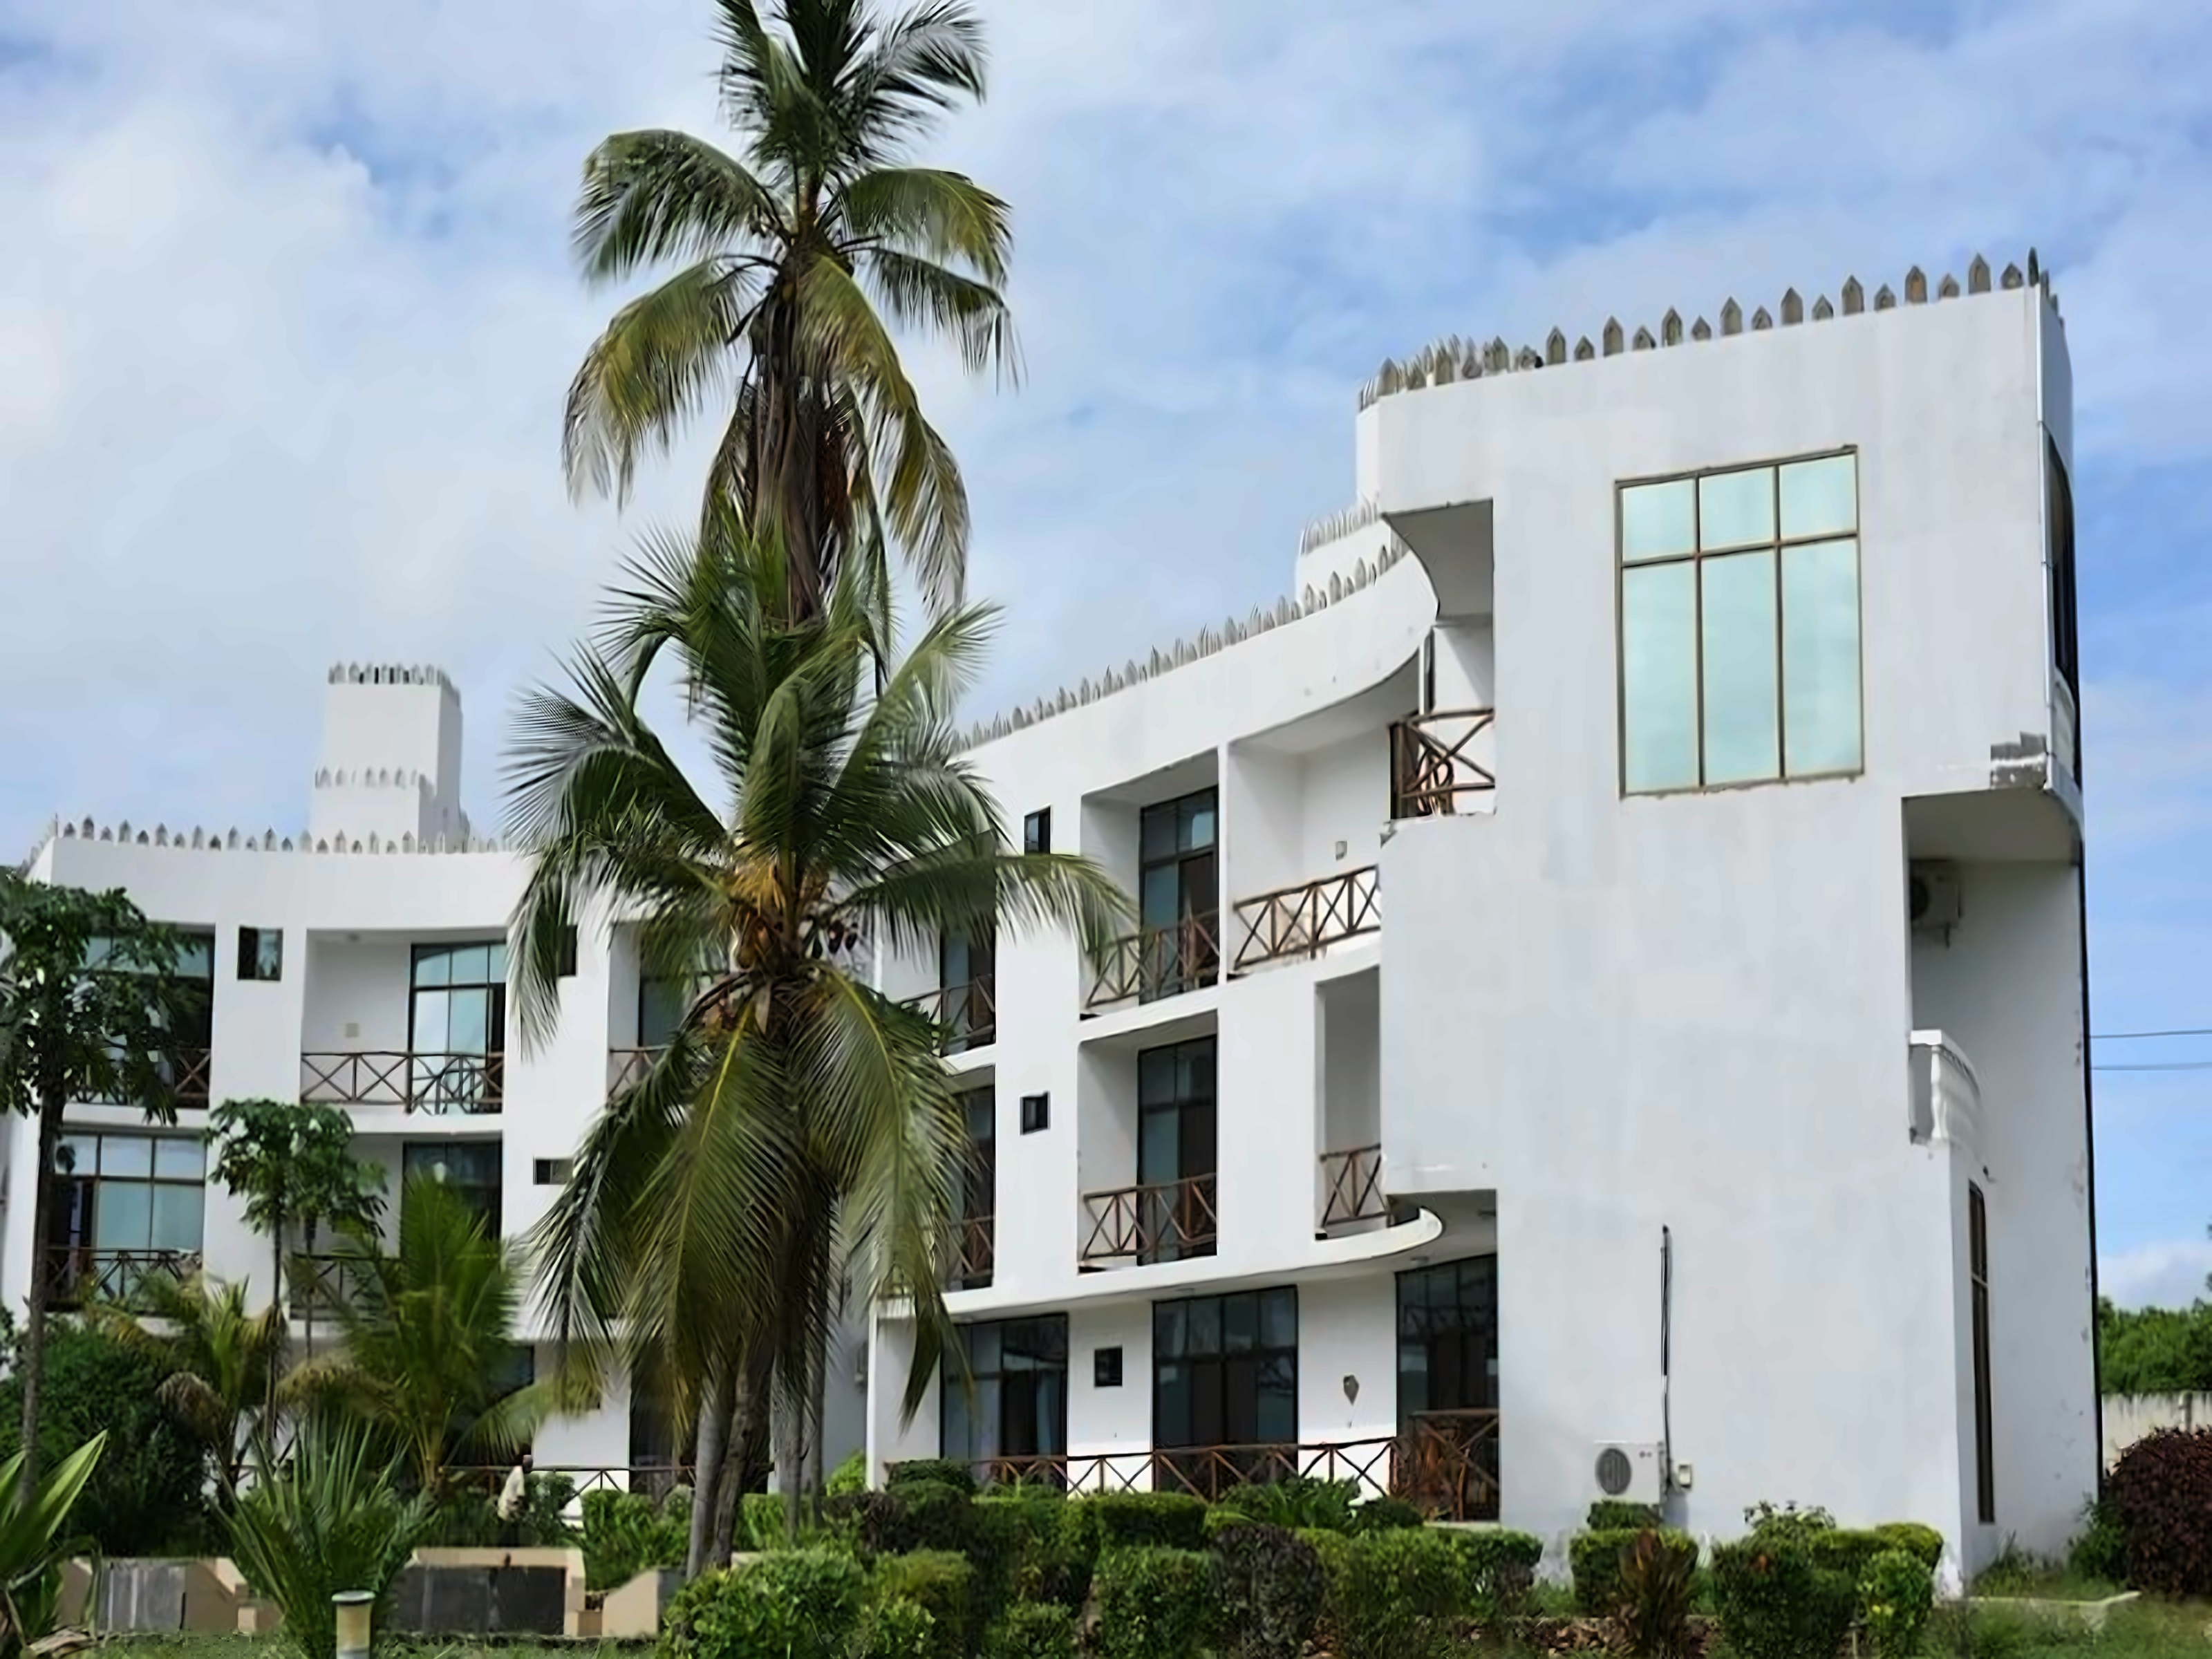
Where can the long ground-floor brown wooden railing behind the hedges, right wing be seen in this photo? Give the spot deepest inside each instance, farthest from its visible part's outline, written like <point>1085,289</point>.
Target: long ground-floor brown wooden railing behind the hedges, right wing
<point>1446,1463</point>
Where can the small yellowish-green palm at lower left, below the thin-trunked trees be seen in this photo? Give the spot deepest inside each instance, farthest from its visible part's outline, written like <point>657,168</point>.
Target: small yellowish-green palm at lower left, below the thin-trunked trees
<point>220,1357</point>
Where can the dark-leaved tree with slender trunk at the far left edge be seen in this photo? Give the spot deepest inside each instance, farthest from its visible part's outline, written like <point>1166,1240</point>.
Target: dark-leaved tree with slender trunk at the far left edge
<point>90,1001</point>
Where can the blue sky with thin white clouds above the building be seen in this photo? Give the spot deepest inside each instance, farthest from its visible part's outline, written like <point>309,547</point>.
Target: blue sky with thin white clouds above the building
<point>286,320</point>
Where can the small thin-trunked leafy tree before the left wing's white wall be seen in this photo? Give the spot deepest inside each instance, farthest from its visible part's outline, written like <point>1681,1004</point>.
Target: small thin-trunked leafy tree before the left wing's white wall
<point>295,1169</point>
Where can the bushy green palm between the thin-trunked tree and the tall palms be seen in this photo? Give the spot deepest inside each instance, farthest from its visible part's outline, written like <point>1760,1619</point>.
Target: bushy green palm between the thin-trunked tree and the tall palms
<point>430,1353</point>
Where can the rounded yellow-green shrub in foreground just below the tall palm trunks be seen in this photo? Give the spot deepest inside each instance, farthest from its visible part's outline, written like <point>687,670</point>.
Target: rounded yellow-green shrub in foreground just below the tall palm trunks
<point>795,1605</point>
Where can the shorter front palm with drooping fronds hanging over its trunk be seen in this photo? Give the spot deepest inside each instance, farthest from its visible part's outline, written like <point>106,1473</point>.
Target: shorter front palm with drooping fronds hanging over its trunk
<point>800,1129</point>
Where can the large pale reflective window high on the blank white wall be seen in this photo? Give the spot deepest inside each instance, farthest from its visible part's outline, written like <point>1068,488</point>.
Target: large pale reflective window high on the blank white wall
<point>1740,627</point>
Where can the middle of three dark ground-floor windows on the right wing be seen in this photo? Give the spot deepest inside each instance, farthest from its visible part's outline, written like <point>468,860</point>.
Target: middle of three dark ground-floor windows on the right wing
<point>1227,1370</point>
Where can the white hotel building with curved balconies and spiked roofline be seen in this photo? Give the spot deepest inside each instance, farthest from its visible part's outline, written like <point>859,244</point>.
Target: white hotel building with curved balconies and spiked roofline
<point>1609,1012</point>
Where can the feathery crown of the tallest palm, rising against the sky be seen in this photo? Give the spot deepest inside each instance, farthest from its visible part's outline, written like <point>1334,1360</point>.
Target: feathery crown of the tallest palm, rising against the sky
<point>797,255</point>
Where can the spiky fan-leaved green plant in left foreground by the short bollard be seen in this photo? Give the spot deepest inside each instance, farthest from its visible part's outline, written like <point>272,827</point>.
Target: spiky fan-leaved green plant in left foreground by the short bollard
<point>331,1521</point>
